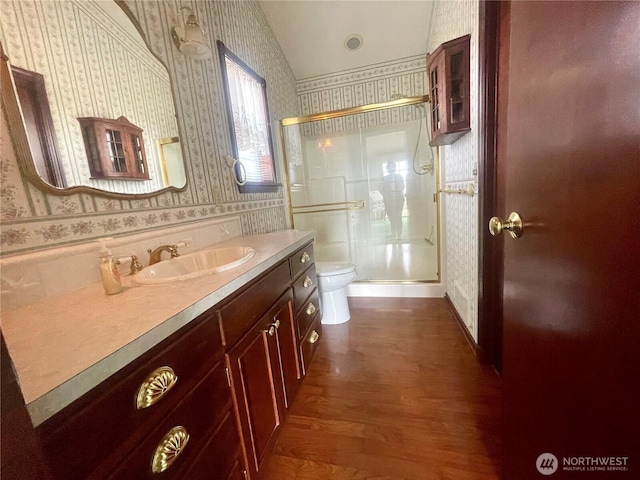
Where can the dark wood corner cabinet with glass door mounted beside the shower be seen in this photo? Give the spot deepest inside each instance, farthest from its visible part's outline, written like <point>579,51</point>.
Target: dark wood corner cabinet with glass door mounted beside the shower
<point>449,83</point>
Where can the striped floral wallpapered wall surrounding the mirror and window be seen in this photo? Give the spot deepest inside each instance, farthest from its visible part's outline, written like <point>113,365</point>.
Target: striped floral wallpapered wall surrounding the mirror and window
<point>32,220</point>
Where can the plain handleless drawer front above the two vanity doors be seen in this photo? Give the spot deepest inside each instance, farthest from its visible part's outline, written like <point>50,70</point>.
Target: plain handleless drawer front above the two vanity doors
<point>239,315</point>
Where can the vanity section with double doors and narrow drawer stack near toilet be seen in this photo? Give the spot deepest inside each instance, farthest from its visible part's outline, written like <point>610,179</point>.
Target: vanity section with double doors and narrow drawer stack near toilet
<point>266,364</point>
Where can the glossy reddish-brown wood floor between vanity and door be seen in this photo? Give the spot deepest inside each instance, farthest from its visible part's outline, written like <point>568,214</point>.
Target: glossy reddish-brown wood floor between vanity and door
<point>395,393</point>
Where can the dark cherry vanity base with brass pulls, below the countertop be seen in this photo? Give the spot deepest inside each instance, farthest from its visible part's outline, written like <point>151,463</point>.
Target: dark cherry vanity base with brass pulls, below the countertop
<point>233,375</point>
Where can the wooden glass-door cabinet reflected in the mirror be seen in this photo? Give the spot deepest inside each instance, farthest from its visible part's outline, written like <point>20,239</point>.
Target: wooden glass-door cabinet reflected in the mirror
<point>115,148</point>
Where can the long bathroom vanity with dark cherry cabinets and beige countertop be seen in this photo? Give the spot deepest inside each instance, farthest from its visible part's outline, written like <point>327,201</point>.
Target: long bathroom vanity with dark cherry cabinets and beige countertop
<point>200,395</point>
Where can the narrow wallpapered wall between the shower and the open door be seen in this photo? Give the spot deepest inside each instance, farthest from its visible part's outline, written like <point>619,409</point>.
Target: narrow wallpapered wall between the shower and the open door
<point>452,19</point>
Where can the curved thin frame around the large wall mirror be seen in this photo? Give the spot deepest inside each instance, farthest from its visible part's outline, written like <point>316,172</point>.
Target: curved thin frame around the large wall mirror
<point>24,156</point>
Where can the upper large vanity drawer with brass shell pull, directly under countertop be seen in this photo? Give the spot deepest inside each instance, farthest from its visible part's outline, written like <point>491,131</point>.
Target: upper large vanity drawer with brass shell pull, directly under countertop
<point>81,437</point>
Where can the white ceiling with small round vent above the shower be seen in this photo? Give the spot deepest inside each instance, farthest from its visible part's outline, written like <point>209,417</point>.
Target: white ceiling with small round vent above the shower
<point>312,33</point>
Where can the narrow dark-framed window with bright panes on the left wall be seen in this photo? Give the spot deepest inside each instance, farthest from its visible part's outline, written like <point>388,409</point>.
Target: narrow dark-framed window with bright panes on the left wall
<point>246,97</point>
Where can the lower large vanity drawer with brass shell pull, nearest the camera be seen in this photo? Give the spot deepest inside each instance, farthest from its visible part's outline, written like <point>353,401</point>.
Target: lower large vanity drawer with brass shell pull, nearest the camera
<point>207,408</point>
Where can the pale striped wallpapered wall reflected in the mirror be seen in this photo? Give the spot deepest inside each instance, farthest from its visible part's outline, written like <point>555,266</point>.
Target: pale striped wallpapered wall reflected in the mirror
<point>93,66</point>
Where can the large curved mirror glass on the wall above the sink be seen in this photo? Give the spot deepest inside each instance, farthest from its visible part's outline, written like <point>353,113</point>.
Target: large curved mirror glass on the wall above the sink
<point>71,60</point>
